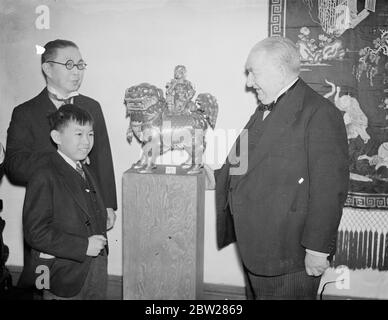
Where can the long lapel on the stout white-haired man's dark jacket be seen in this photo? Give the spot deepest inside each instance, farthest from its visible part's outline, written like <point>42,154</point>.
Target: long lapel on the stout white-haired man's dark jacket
<point>283,115</point>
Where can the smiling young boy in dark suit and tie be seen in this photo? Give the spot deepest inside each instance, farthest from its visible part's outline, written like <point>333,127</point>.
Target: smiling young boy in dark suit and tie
<point>64,217</point>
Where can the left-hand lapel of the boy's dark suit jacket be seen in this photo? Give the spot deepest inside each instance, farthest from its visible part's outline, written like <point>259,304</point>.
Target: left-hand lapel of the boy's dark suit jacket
<point>70,178</point>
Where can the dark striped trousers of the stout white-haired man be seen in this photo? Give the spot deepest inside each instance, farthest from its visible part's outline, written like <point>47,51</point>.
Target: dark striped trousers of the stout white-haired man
<point>293,286</point>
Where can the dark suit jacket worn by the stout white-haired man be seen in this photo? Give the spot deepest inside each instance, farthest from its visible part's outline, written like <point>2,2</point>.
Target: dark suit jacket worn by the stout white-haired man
<point>292,194</point>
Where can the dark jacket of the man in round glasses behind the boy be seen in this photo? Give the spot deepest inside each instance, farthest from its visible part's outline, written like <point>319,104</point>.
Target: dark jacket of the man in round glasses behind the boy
<point>28,142</point>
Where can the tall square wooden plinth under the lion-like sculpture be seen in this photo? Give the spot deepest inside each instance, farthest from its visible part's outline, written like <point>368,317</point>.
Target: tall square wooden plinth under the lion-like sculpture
<point>163,234</point>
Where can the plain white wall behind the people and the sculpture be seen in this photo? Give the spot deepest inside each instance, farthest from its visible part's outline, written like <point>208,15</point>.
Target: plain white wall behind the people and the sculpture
<point>125,43</point>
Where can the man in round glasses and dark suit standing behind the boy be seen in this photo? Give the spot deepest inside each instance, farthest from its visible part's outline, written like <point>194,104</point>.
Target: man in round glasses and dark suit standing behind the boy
<point>28,140</point>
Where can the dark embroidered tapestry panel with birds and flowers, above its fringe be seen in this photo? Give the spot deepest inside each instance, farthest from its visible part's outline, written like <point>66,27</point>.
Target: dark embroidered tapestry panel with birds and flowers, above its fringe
<point>343,46</point>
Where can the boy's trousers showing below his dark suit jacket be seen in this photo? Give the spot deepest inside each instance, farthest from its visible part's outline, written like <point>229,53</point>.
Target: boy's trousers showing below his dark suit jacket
<point>95,286</point>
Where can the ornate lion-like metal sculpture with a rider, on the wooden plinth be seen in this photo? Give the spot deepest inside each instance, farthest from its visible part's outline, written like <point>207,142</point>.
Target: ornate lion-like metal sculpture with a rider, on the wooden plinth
<point>174,123</point>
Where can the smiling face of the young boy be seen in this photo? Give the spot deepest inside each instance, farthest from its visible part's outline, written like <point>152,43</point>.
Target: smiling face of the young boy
<point>74,140</point>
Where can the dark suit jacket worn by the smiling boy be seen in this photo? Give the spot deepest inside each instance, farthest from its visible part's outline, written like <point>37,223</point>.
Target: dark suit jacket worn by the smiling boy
<point>56,221</point>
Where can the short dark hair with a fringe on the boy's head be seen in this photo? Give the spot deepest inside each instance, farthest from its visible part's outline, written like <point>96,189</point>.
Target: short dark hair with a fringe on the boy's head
<point>69,113</point>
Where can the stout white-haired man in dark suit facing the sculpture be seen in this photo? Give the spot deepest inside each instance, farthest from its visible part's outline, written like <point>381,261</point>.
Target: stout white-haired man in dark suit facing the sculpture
<point>283,208</point>
